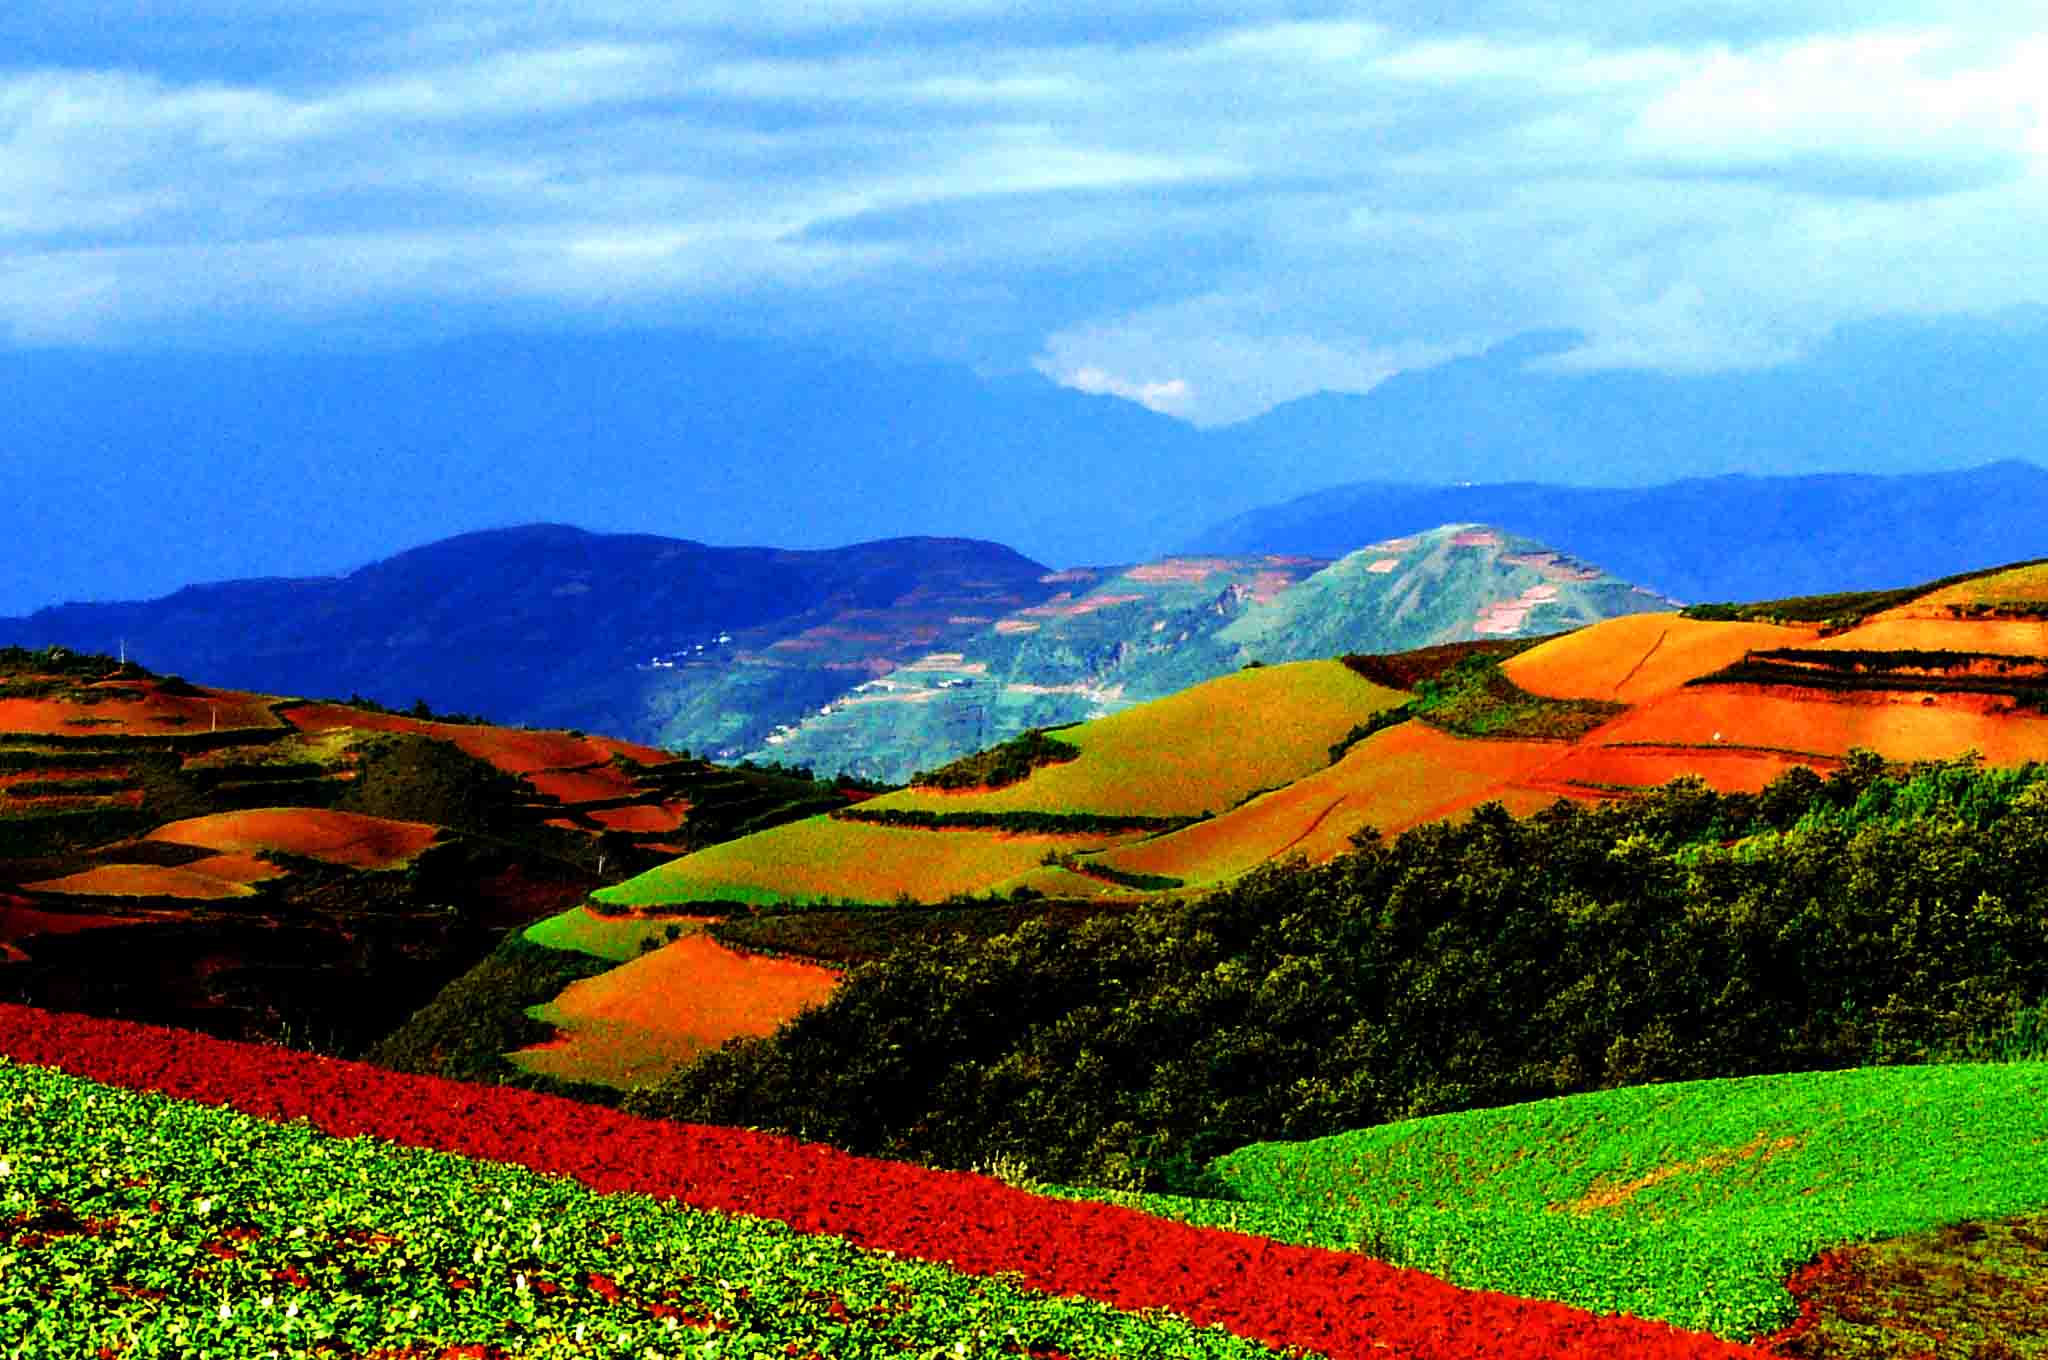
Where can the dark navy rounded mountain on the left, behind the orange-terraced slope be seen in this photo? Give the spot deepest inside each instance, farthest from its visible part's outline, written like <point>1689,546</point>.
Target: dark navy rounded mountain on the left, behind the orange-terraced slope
<point>554,626</point>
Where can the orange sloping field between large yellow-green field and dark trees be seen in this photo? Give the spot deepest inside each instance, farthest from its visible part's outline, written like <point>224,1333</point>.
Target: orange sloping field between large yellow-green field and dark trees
<point>1394,779</point>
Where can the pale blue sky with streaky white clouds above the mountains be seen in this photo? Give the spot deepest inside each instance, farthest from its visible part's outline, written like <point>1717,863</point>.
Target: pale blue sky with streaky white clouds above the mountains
<point>1209,208</point>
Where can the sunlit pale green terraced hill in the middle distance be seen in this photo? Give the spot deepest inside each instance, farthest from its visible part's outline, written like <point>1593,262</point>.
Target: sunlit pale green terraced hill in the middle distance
<point>1113,640</point>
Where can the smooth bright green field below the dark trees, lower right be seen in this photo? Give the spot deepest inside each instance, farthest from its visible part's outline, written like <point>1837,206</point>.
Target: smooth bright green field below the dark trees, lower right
<point>1689,1201</point>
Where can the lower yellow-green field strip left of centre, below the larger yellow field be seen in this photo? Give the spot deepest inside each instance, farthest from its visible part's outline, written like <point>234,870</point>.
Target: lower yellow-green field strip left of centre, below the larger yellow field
<point>820,857</point>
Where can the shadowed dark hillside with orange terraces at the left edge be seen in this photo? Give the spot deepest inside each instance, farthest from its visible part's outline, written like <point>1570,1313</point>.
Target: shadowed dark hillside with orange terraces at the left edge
<point>306,872</point>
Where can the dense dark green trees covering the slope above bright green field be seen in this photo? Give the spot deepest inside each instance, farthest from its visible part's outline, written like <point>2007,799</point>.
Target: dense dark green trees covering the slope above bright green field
<point>1873,917</point>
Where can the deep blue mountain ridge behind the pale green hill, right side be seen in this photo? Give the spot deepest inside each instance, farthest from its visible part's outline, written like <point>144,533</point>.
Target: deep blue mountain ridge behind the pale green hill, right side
<point>1703,540</point>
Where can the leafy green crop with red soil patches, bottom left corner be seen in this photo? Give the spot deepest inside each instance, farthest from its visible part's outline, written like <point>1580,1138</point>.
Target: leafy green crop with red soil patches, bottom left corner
<point>159,1228</point>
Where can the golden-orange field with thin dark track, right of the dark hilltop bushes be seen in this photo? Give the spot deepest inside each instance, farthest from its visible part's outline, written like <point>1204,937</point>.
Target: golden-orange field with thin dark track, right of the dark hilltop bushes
<point>1639,656</point>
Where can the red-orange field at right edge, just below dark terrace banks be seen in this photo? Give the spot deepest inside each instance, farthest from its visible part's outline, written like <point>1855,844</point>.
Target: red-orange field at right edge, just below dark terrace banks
<point>1895,726</point>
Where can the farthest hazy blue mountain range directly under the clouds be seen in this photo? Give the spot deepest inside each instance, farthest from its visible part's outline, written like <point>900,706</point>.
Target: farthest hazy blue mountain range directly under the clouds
<point>298,464</point>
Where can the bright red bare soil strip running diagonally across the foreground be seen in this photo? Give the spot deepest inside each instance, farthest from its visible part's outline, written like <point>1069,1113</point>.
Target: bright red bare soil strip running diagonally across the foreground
<point>1279,1295</point>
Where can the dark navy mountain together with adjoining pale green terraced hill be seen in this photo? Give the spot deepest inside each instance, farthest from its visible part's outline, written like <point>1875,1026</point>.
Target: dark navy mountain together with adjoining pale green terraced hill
<point>876,661</point>
